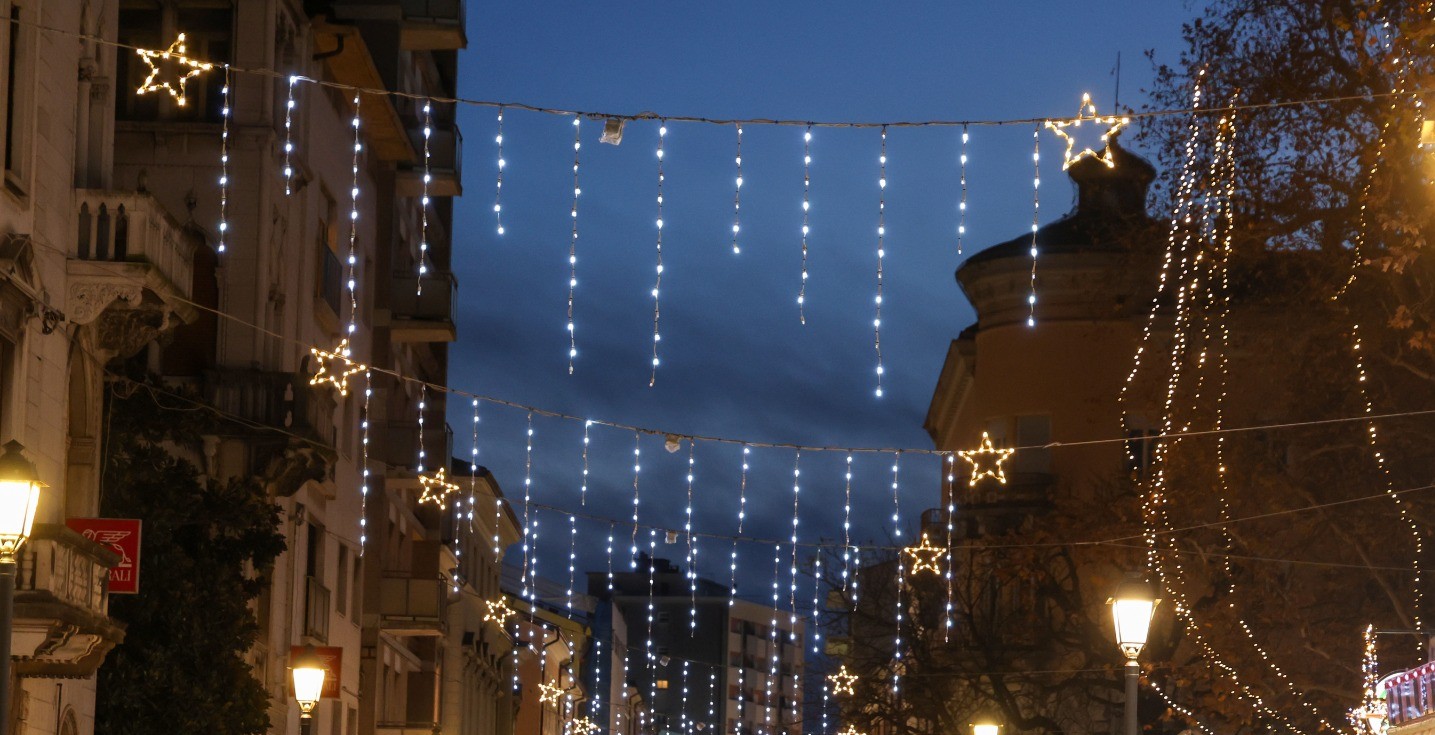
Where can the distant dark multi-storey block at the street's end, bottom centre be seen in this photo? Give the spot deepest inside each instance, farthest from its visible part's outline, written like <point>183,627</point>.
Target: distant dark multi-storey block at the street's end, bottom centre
<point>701,661</point>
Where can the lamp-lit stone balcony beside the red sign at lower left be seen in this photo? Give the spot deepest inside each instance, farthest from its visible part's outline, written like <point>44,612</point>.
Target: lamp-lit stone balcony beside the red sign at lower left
<point>62,625</point>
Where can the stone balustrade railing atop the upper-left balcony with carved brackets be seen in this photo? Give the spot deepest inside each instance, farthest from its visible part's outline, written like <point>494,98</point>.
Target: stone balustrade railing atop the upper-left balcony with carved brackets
<point>134,228</point>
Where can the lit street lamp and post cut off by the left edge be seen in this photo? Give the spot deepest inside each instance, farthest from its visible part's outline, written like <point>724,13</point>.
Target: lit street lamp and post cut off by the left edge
<point>19,499</point>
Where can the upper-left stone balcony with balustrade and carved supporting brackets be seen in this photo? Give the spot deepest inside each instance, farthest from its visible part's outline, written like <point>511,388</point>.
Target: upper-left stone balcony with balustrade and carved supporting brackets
<point>133,269</point>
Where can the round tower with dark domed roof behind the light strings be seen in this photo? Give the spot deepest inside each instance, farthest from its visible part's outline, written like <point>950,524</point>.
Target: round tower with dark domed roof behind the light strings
<point>1060,380</point>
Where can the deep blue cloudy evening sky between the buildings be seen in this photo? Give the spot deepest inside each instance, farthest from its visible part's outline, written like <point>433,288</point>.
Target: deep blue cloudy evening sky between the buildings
<point>735,360</point>
